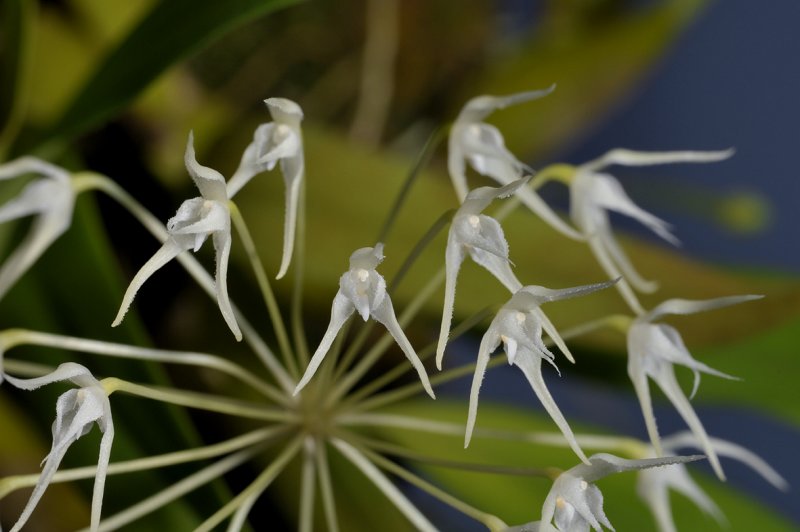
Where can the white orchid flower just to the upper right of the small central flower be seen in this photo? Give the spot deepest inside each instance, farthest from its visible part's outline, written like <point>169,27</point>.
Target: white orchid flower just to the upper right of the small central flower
<point>480,237</point>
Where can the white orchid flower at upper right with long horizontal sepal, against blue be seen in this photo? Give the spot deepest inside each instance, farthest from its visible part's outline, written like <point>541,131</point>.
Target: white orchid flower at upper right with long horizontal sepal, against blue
<point>593,194</point>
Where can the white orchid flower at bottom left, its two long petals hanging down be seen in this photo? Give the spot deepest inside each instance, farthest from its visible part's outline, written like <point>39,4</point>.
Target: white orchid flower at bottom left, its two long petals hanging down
<point>76,411</point>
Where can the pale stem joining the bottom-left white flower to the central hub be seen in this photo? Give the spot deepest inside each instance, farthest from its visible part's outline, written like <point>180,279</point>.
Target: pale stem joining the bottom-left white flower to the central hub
<point>212,403</point>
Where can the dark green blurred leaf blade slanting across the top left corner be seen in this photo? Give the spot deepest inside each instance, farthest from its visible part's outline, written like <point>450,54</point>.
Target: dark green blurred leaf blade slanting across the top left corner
<point>168,34</point>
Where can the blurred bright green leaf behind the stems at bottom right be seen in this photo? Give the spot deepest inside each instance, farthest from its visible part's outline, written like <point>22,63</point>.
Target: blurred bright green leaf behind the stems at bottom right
<point>518,499</point>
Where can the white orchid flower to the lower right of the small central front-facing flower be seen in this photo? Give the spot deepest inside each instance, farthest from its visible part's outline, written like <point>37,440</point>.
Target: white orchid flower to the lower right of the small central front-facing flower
<point>518,326</point>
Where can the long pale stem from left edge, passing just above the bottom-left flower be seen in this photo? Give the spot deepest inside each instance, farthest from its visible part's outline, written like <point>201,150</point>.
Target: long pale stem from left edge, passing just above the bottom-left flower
<point>14,337</point>
